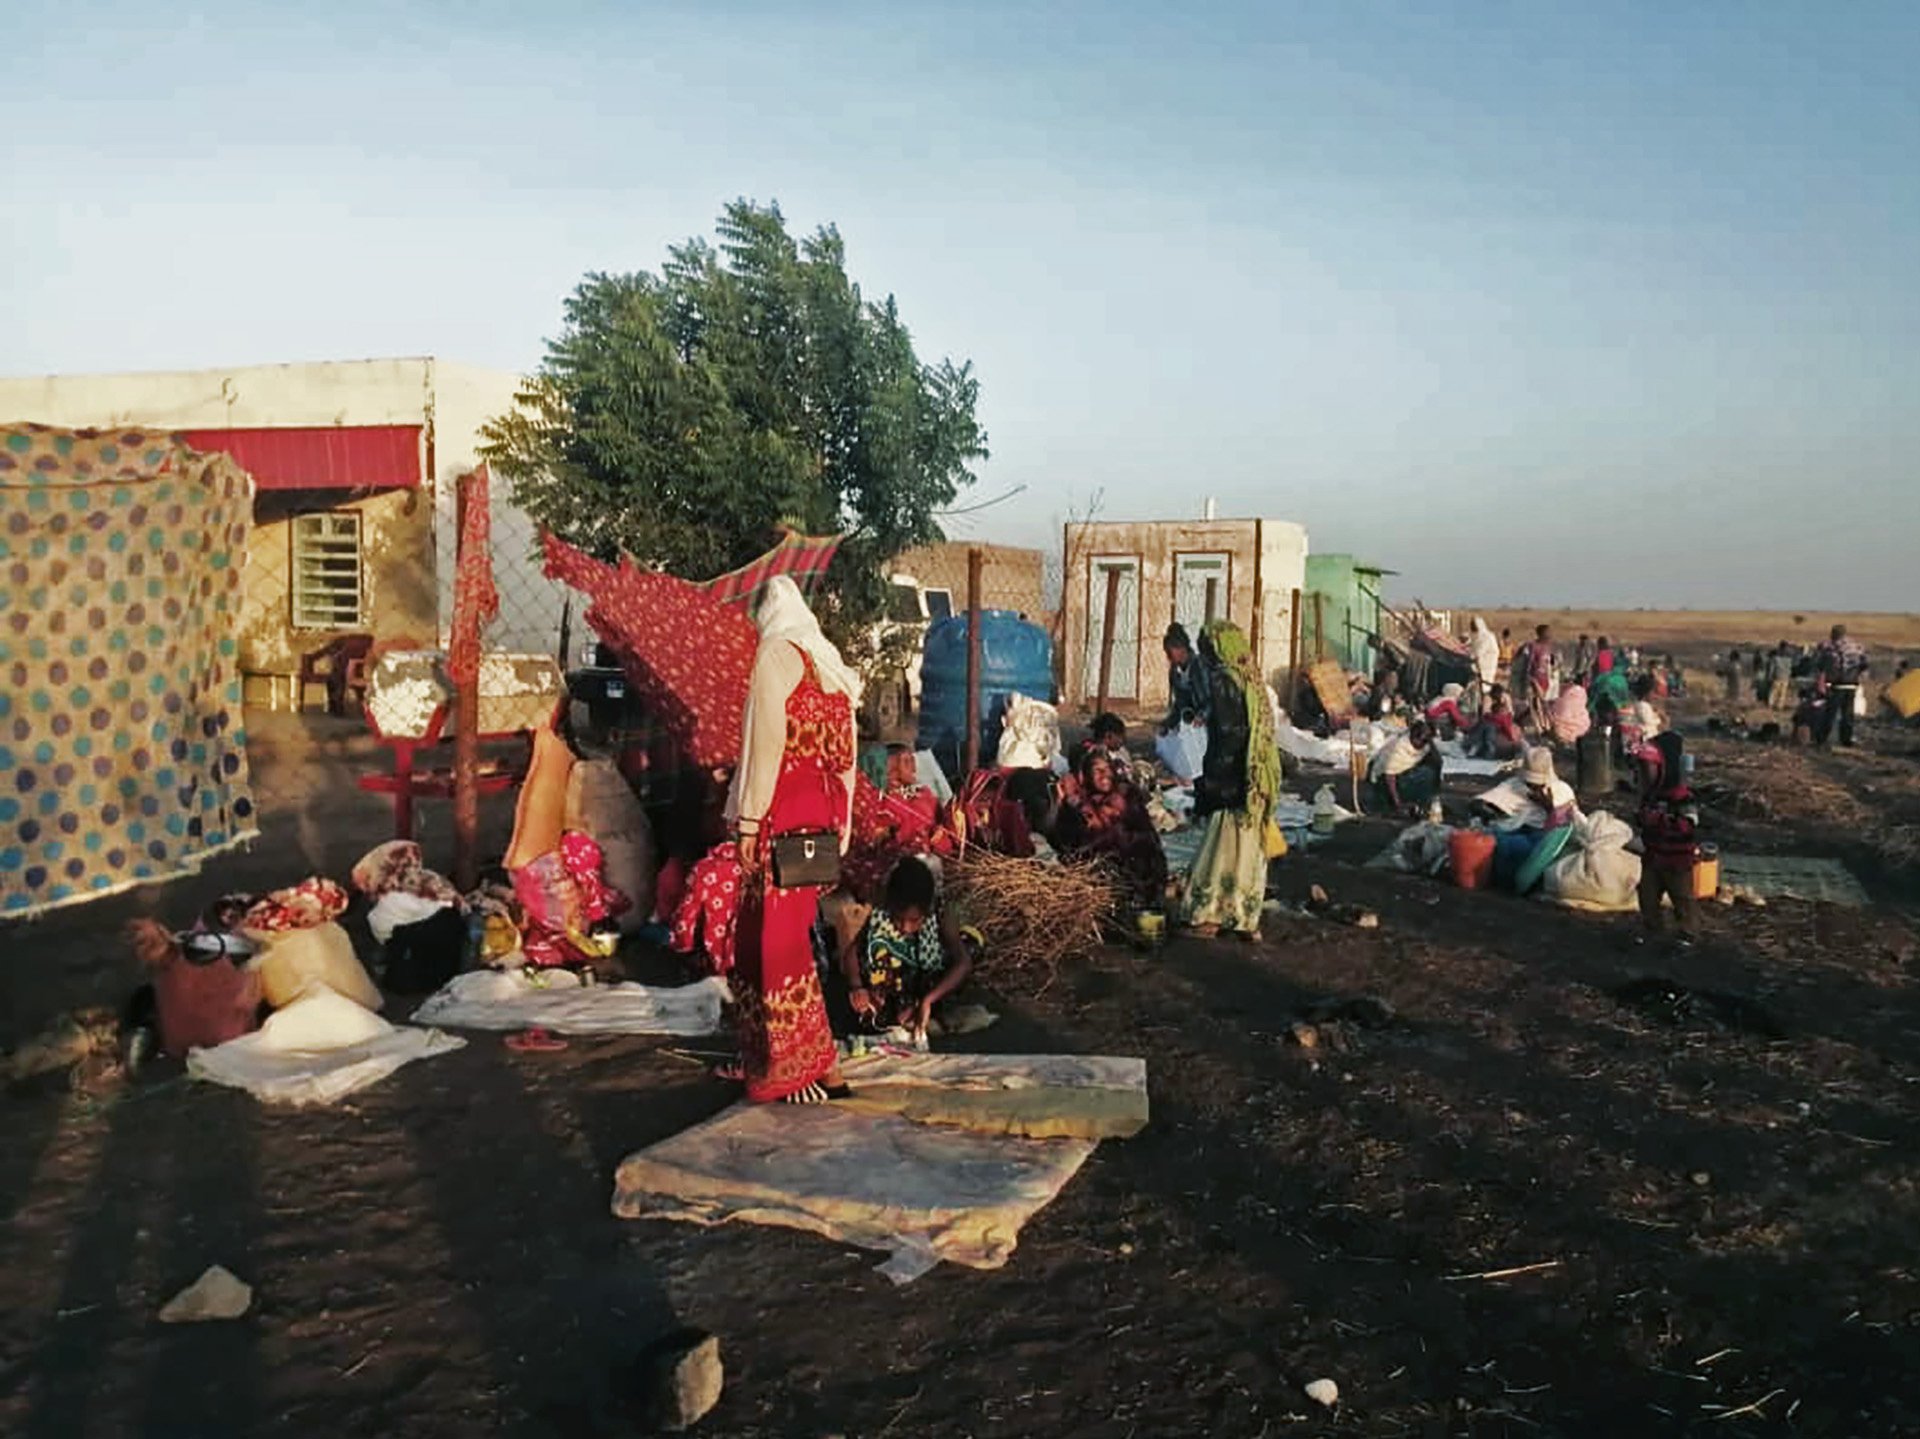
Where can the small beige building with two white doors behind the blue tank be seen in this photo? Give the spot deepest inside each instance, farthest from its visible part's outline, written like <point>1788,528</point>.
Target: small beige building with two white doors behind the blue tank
<point>1163,572</point>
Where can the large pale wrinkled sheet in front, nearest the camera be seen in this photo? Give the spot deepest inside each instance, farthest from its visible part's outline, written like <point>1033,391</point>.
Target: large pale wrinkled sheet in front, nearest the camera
<point>919,1192</point>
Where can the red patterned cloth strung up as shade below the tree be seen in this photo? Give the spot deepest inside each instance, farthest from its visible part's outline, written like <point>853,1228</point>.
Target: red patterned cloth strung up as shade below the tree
<point>688,654</point>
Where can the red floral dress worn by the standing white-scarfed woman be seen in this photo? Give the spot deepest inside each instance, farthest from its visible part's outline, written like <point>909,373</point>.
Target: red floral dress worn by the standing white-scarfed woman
<point>784,1035</point>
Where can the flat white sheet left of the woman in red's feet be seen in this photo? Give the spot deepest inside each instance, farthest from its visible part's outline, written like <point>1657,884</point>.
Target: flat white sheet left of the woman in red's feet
<point>508,1000</point>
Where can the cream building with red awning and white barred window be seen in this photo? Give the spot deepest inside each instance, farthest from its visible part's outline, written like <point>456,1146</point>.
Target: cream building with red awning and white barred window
<point>354,468</point>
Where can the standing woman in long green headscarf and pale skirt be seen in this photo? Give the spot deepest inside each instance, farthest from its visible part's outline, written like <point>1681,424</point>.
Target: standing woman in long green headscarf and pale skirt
<point>1236,791</point>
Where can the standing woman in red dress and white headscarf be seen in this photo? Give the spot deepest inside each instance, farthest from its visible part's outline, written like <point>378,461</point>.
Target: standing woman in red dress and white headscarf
<point>796,777</point>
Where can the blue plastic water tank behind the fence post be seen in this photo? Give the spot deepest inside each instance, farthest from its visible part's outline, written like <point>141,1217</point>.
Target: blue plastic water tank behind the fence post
<point>1015,658</point>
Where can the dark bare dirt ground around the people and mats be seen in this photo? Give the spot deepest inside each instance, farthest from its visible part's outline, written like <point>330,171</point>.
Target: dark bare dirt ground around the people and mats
<point>1710,1217</point>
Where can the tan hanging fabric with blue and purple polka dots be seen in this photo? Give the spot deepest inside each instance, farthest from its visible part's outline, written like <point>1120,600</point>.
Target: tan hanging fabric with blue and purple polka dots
<point>122,739</point>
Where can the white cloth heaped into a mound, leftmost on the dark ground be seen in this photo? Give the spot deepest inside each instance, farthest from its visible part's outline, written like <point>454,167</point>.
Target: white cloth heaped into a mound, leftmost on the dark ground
<point>314,1052</point>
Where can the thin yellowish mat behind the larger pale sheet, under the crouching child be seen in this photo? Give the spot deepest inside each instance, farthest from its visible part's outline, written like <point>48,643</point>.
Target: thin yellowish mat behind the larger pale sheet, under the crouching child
<point>1034,1096</point>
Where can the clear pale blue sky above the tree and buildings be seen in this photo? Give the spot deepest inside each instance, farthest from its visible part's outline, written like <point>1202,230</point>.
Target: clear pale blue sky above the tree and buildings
<point>1535,303</point>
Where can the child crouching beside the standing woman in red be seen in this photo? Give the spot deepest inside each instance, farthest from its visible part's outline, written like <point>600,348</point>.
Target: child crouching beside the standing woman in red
<point>905,960</point>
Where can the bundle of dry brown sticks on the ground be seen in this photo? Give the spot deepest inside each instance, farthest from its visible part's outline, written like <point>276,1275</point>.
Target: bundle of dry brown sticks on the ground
<point>1034,917</point>
